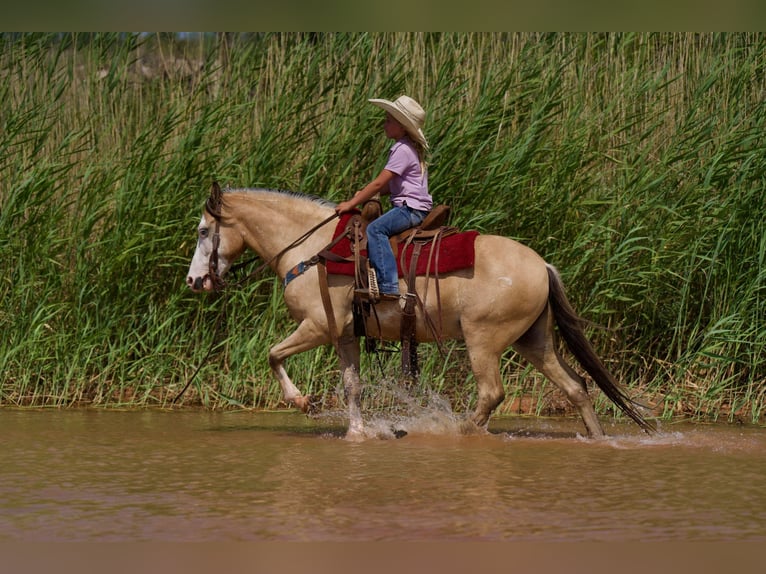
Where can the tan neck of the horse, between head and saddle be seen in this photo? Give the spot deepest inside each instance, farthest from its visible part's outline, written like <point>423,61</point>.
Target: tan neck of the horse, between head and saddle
<point>270,221</point>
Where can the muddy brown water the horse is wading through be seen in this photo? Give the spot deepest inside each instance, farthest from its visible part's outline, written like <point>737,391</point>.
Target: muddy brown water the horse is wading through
<point>85,475</point>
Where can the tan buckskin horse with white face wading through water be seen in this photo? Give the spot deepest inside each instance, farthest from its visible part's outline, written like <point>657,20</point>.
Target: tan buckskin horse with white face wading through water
<point>510,297</point>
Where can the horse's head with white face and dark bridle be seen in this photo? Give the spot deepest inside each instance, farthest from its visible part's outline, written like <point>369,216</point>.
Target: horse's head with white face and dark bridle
<point>217,246</point>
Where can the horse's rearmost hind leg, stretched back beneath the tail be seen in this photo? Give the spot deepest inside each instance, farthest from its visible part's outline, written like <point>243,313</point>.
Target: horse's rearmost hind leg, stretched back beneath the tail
<point>538,346</point>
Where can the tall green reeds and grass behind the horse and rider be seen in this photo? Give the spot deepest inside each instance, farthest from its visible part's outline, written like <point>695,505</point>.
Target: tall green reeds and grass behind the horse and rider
<point>633,162</point>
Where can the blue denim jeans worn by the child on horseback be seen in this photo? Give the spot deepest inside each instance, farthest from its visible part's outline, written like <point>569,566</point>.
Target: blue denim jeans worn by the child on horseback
<point>379,252</point>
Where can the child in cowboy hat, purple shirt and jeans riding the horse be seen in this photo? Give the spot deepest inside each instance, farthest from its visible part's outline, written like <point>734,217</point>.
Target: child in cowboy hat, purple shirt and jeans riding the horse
<point>405,179</point>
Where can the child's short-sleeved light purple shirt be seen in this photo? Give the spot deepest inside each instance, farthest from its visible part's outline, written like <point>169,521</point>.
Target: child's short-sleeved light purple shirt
<point>410,184</point>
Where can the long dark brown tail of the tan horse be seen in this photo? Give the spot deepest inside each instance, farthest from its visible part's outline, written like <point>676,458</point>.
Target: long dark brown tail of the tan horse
<point>571,328</point>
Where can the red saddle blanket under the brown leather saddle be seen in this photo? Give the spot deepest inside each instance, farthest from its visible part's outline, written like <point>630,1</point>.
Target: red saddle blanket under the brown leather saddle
<point>455,252</point>
